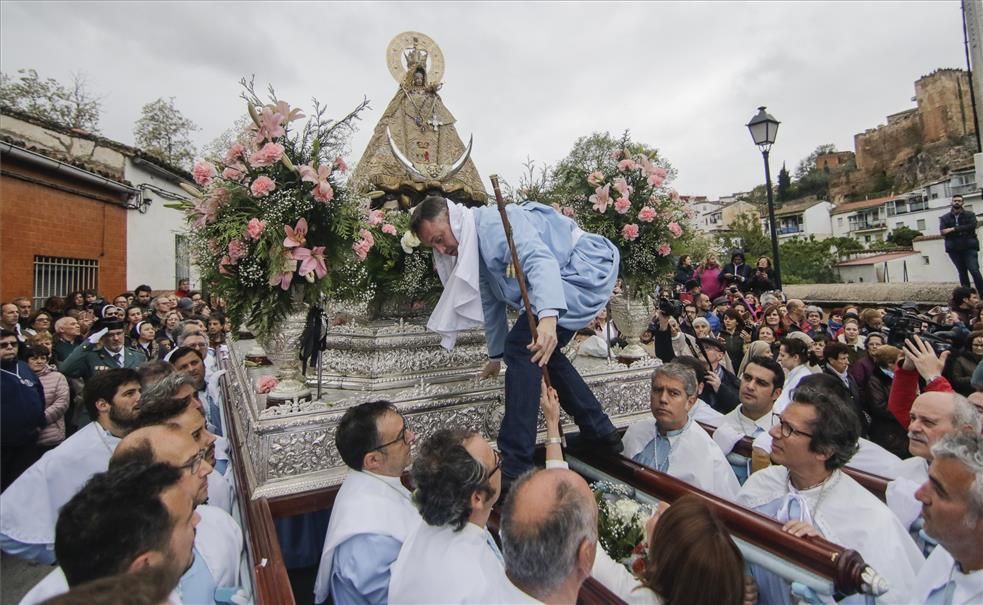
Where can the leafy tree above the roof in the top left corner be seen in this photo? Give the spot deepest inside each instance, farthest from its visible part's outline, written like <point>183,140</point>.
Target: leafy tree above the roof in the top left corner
<point>72,106</point>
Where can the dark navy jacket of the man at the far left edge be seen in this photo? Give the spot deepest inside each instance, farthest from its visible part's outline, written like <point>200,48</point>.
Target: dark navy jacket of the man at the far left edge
<point>22,401</point>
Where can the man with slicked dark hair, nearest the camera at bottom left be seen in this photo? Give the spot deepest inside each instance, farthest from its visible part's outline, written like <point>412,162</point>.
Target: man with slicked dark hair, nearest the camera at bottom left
<point>150,510</point>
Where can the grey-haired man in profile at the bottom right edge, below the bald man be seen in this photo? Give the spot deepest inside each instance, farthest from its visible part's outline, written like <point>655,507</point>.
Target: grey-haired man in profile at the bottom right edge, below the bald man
<point>952,502</point>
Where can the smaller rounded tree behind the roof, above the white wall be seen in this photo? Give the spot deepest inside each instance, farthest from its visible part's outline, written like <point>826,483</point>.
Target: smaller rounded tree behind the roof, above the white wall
<point>162,131</point>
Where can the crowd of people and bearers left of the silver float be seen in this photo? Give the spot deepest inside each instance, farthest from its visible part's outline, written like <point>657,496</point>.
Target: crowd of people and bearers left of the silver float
<point>113,455</point>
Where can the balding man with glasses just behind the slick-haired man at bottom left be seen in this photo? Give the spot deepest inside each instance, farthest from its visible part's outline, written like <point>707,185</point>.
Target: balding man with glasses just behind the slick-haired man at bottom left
<point>218,541</point>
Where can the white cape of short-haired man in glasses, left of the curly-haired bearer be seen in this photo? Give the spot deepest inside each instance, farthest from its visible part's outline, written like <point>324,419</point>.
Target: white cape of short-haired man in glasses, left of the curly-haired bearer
<point>366,504</point>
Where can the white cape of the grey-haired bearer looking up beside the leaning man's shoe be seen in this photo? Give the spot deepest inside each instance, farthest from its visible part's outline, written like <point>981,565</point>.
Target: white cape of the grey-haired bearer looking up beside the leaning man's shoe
<point>693,457</point>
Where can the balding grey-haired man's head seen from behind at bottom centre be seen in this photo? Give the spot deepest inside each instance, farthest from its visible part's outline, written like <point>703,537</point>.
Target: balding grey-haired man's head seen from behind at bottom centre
<point>549,536</point>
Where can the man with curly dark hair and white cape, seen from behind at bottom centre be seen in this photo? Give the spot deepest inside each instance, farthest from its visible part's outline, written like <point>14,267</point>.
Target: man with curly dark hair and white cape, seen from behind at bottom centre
<point>450,557</point>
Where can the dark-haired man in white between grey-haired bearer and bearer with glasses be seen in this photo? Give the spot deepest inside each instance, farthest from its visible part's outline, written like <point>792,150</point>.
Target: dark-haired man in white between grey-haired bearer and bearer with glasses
<point>761,385</point>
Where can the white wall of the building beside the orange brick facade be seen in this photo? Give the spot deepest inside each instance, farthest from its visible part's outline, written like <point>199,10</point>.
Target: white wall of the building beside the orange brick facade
<point>150,235</point>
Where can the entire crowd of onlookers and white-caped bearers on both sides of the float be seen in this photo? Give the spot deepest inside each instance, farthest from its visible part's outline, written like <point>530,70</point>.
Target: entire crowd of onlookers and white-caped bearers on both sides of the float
<point>817,392</point>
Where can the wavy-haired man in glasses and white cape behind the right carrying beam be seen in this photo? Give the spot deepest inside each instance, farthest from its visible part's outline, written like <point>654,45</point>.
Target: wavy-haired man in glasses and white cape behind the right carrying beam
<point>805,490</point>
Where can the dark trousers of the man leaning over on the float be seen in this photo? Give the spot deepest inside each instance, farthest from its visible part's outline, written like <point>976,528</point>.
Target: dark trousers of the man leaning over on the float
<point>517,435</point>
